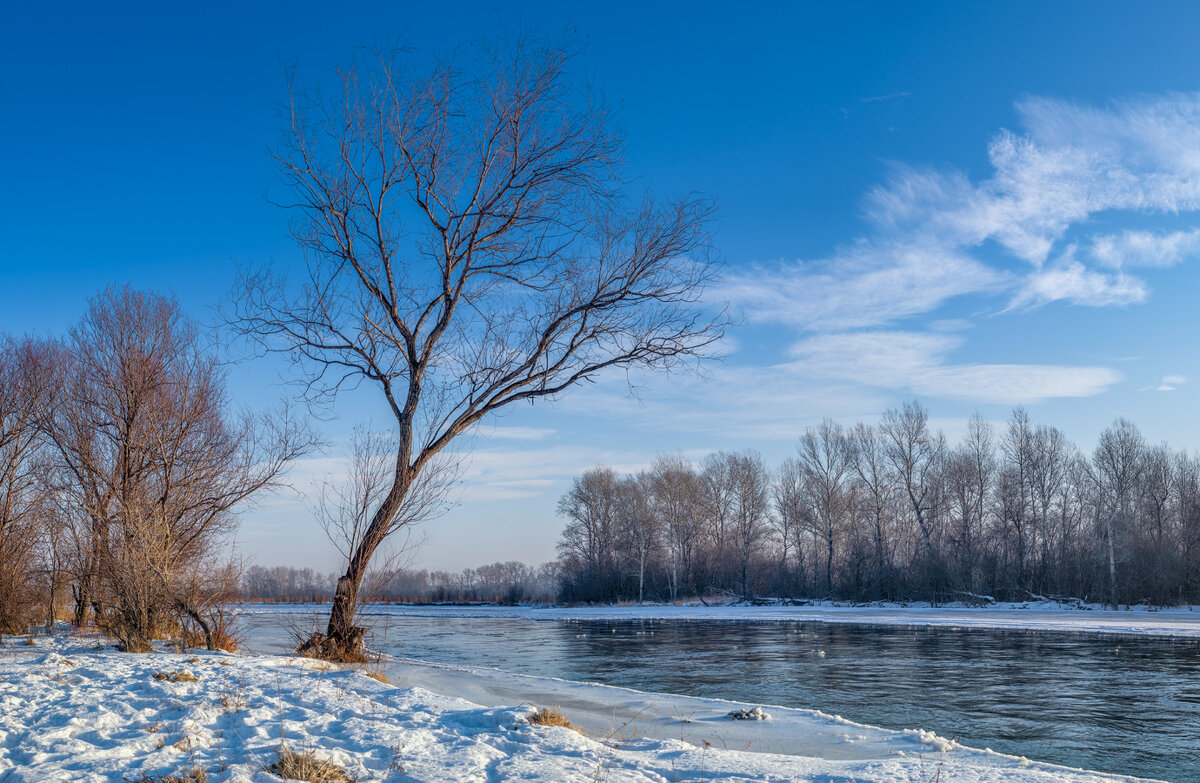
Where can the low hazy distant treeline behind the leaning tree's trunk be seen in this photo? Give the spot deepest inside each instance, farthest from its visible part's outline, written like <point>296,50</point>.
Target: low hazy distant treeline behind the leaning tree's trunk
<point>497,583</point>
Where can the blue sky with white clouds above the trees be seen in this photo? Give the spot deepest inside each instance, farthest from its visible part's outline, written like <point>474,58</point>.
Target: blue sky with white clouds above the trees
<point>973,205</point>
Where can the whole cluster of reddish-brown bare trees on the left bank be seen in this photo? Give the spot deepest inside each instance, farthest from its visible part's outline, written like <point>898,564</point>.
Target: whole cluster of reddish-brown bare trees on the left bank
<point>122,464</point>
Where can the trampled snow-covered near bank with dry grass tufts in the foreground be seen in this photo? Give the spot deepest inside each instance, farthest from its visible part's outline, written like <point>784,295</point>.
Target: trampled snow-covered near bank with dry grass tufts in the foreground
<point>74,709</point>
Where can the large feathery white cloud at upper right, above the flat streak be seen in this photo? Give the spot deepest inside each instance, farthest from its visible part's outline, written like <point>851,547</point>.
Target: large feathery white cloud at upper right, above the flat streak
<point>929,228</point>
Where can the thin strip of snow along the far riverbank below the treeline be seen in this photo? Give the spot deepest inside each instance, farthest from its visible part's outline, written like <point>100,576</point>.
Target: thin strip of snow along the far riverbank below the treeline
<point>1178,623</point>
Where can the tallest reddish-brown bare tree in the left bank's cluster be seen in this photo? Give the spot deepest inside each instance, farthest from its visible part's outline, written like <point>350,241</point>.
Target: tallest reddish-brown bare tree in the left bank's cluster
<point>154,461</point>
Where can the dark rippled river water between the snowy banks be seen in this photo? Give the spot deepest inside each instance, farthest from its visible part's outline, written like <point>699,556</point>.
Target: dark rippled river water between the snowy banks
<point>1115,704</point>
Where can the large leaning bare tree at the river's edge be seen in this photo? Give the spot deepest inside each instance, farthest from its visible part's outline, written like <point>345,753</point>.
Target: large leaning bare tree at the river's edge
<point>469,248</point>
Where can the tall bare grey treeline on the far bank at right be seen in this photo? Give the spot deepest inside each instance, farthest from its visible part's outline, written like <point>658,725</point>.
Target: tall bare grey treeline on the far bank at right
<point>896,512</point>
